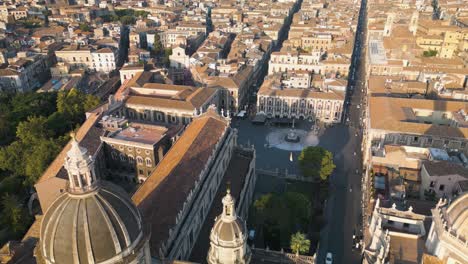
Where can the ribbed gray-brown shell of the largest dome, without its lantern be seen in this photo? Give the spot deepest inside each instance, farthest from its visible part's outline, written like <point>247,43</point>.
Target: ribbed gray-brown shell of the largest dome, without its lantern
<point>92,227</point>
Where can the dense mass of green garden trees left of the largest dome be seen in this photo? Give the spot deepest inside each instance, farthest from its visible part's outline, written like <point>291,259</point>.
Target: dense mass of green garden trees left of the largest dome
<point>33,129</point>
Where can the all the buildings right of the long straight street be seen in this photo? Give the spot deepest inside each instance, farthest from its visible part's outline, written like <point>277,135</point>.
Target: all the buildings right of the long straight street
<point>415,133</point>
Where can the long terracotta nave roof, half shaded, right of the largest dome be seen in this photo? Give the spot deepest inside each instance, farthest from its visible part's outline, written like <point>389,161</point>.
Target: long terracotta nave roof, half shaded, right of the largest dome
<point>163,194</point>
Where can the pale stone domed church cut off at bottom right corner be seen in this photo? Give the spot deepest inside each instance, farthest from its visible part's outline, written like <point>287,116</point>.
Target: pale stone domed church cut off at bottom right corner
<point>448,235</point>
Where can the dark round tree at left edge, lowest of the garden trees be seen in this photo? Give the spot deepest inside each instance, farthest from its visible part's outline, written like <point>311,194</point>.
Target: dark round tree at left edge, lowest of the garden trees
<point>14,215</point>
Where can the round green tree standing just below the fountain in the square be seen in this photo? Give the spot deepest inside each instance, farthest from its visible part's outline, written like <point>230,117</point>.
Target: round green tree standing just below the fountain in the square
<point>316,162</point>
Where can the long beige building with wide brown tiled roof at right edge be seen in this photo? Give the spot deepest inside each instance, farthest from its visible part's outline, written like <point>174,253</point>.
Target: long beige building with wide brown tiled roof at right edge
<point>418,123</point>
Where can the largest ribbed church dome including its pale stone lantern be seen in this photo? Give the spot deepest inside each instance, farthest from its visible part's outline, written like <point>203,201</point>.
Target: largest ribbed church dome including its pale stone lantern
<point>93,221</point>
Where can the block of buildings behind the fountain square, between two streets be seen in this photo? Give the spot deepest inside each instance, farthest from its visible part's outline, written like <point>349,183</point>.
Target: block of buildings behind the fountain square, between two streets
<point>307,77</point>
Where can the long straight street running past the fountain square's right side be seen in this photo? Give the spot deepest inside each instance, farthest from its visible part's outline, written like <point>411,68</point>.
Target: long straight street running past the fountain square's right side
<point>343,212</point>
